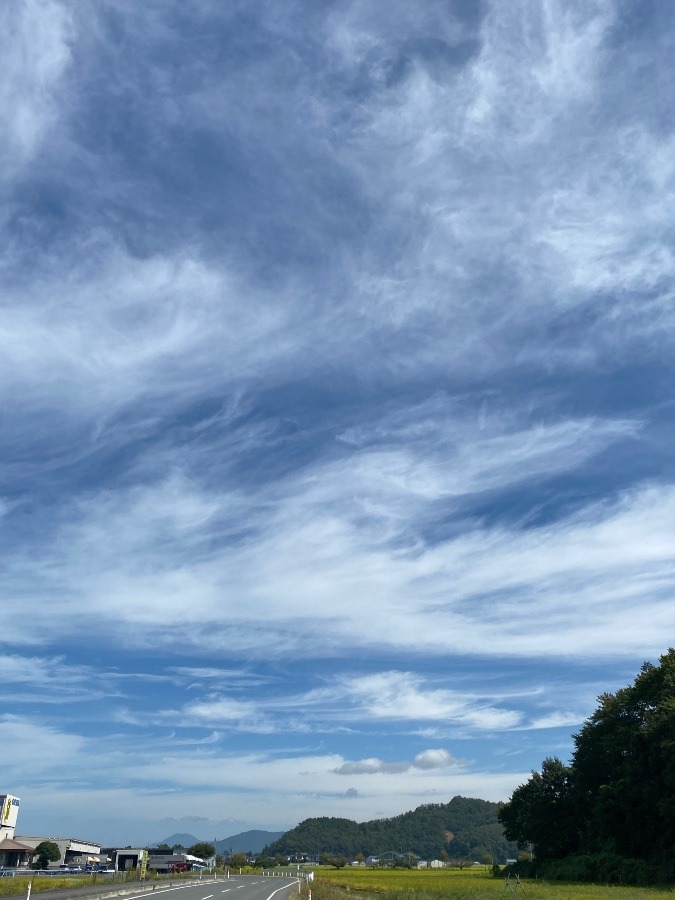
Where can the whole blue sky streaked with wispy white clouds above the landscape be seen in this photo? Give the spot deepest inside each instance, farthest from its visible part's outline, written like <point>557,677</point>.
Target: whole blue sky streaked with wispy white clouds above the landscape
<point>336,360</point>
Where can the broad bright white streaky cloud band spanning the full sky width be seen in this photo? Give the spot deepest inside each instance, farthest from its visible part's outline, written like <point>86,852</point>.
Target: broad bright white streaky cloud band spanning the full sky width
<point>353,534</point>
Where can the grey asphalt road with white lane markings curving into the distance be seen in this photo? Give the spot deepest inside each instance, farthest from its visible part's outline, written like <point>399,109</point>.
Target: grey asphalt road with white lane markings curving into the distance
<point>239,887</point>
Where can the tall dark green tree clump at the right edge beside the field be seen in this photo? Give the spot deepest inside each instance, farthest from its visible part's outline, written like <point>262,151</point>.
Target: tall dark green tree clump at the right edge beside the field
<point>610,814</point>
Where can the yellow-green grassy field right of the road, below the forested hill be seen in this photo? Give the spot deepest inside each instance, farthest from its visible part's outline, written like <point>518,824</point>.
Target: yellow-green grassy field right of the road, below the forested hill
<point>453,884</point>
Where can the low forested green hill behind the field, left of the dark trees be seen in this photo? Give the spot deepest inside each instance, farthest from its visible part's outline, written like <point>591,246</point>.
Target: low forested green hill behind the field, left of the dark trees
<point>463,828</point>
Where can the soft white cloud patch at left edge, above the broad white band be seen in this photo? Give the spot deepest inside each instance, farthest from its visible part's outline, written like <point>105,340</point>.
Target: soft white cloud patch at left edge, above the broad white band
<point>130,329</point>
